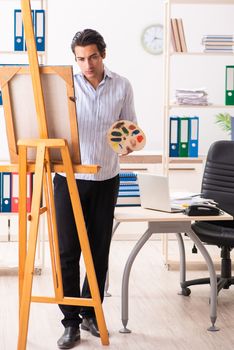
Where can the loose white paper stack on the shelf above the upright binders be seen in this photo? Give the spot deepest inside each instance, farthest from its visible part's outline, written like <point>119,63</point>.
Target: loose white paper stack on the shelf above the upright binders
<point>191,97</point>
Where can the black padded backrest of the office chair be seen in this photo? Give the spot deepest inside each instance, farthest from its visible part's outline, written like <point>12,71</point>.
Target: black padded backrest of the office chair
<point>218,177</point>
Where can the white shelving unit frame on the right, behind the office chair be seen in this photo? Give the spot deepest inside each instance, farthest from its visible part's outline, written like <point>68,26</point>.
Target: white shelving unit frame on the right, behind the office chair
<point>168,62</point>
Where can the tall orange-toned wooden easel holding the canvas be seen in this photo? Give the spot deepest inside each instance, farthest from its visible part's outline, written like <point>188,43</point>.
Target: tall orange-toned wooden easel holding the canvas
<point>43,169</point>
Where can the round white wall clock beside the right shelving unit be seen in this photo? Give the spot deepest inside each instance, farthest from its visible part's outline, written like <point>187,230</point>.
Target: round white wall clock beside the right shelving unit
<point>152,39</point>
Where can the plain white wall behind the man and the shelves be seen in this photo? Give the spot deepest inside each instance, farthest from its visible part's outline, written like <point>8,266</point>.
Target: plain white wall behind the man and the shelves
<point>121,23</point>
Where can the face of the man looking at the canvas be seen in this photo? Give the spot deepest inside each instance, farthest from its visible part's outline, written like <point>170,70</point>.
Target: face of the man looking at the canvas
<point>90,61</point>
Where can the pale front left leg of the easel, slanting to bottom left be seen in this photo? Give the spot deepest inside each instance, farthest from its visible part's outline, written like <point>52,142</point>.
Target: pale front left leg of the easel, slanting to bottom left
<point>30,259</point>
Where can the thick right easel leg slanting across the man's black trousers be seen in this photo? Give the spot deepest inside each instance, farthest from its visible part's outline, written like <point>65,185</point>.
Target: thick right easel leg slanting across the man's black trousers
<point>85,247</point>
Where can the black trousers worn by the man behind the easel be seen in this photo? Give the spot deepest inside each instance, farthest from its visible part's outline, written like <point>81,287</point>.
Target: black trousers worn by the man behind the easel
<point>98,200</point>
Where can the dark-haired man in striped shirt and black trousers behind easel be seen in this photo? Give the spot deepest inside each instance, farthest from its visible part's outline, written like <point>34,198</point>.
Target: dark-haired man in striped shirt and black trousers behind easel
<point>102,98</point>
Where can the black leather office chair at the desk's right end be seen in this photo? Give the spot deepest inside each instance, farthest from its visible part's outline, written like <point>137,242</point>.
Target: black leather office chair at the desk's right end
<point>218,184</point>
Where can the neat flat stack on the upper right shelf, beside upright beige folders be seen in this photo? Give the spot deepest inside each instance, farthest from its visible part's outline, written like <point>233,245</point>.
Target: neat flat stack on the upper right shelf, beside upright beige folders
<point>218,43</point>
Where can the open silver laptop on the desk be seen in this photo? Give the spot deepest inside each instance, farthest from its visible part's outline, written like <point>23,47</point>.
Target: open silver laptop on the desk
<point>154,193</point>
